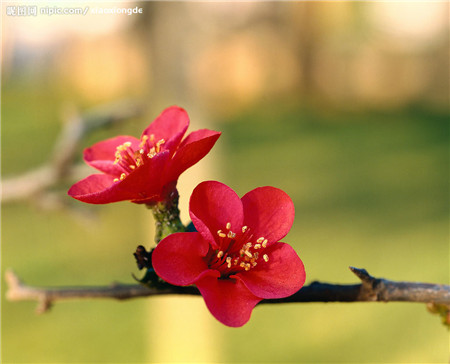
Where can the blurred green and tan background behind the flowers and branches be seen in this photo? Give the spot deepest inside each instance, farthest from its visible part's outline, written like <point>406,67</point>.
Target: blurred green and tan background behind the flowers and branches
<point>342,105</point>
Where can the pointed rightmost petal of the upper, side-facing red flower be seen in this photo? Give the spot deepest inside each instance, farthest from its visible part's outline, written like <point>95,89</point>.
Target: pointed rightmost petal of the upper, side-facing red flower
<point>192,149</point>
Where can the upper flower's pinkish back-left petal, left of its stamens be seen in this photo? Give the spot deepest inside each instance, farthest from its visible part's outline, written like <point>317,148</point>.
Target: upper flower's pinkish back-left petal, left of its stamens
<point>102,154</point>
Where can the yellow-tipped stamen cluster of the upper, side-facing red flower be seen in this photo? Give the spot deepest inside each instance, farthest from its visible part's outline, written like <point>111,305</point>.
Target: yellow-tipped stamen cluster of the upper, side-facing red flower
<point>130,159</point>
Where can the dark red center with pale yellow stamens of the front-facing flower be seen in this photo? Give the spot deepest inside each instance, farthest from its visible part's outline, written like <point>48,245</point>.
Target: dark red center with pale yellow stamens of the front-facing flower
<point>238,252</point>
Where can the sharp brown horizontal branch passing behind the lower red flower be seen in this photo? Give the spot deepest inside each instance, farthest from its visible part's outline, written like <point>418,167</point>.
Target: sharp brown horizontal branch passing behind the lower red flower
<point>370,290</point>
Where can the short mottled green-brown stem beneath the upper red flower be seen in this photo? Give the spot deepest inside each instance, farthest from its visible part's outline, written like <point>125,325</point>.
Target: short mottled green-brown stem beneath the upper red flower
<point>167,218</point>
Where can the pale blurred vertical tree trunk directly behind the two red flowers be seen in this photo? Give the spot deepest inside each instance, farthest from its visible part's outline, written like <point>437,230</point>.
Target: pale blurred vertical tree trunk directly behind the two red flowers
<point>171,43</point>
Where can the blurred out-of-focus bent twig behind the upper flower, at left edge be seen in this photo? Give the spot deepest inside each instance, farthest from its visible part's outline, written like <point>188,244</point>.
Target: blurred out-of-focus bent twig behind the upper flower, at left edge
<point>35,184</point>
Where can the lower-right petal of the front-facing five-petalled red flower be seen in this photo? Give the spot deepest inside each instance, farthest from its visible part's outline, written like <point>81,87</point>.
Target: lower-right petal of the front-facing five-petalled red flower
<point>282,276</point>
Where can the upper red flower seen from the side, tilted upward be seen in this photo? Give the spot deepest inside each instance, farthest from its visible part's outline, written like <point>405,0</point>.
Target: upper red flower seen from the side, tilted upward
<point>145,170</point>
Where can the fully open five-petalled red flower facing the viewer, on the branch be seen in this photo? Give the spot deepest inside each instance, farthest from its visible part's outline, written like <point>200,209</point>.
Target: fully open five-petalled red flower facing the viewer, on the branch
<point>235,258</point>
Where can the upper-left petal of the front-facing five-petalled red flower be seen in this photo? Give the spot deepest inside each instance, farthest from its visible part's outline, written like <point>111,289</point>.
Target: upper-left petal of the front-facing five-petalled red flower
<point>212,206</point>
